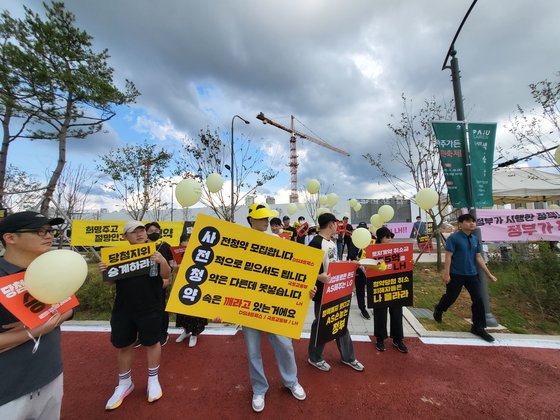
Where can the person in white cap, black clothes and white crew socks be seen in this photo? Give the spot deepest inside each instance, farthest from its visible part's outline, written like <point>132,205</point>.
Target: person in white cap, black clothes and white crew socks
<point>137,313</point>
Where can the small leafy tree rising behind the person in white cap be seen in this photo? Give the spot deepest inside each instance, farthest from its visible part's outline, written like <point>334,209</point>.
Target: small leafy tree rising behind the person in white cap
<point>137,175</point>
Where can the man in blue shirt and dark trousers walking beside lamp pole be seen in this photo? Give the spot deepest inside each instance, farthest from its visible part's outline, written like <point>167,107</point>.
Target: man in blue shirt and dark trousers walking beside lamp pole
<point>462,255</point>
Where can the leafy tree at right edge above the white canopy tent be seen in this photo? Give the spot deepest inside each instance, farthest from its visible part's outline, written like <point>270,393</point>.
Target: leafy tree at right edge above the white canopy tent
<point>538,129</point>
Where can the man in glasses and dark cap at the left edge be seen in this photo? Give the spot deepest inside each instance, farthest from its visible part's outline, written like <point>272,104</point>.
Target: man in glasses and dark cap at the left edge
<point>31,385</point>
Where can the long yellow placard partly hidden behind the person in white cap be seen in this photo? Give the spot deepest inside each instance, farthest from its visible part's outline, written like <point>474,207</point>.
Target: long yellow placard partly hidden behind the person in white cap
<point>109,232</point>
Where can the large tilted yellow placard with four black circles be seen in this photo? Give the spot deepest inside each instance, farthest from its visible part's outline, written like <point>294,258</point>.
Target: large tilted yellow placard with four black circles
<point>246,277</point>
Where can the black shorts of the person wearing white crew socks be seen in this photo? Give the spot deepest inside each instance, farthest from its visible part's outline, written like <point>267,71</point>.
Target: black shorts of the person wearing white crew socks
<point>126,328</point>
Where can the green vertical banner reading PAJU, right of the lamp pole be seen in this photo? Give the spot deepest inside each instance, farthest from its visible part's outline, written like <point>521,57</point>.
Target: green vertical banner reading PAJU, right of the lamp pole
<point>482,137</point>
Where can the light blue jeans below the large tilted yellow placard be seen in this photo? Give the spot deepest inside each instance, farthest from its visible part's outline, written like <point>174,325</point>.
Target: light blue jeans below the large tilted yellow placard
<point>285,360</point>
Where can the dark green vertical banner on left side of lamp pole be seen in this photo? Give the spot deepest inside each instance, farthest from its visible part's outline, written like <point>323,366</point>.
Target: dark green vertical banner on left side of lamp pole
<point>450,140</point>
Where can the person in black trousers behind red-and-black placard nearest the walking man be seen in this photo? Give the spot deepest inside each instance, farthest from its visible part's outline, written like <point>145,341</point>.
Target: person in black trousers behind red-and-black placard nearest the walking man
<point>385,236</point>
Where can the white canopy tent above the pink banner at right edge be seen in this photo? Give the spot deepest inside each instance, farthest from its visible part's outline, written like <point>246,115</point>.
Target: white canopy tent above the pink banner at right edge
<point>524,185</point>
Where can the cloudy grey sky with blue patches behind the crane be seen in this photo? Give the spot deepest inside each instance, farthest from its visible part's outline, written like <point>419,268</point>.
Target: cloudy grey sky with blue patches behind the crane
<point>339,67</point>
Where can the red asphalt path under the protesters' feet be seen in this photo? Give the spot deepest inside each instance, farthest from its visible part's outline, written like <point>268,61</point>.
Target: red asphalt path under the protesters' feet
<point>211,381</point>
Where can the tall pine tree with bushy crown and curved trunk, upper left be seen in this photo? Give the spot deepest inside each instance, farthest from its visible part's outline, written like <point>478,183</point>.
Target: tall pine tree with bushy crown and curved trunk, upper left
<point>72,84</point>
